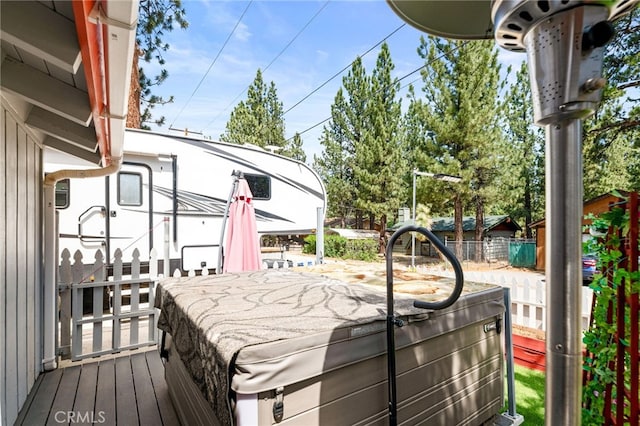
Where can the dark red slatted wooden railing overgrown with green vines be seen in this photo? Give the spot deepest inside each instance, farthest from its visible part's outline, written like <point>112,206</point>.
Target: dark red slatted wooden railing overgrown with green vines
<point>618,316</point>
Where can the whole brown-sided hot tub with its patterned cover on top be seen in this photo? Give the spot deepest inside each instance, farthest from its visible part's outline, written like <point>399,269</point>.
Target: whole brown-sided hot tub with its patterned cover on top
<point>296,348</point>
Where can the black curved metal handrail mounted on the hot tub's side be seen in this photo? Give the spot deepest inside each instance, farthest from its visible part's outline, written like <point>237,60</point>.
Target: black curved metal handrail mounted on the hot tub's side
<point>392,321</point>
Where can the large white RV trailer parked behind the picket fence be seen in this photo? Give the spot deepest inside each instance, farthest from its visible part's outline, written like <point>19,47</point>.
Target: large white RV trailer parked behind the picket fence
<point>188,181</point>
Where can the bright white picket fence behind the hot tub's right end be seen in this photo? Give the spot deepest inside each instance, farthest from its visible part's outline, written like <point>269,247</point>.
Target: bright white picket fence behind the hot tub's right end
<point>528,297</point>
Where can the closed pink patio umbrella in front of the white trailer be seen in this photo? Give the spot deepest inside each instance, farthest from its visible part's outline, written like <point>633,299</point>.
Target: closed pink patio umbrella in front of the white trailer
<point>242,251</point>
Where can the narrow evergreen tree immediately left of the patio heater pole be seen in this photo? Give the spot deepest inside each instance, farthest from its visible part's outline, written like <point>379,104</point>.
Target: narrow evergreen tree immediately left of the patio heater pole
<point>522,179</point>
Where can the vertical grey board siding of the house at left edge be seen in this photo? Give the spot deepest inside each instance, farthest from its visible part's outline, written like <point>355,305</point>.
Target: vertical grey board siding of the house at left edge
<point>20,262</point>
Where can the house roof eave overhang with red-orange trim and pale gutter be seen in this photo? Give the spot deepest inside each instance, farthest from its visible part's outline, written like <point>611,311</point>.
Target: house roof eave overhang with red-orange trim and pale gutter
<point>66,71</point>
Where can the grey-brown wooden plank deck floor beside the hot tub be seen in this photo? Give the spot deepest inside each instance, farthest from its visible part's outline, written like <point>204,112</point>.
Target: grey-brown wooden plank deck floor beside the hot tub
<point>124,389</point>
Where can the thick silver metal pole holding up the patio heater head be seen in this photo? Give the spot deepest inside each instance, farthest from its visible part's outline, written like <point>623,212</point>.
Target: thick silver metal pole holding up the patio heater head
<point>563,242</point>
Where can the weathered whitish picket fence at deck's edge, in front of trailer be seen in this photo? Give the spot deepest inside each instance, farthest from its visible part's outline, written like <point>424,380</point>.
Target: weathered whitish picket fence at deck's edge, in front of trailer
<point>100,315</point>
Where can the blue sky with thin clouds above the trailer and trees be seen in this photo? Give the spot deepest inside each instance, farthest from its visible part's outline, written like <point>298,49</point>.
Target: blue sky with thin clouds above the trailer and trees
<point>299,45</point>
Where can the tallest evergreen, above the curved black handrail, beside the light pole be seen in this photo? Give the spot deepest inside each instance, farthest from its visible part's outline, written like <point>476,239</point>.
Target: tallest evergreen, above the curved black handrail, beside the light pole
<point>461,83</point>
